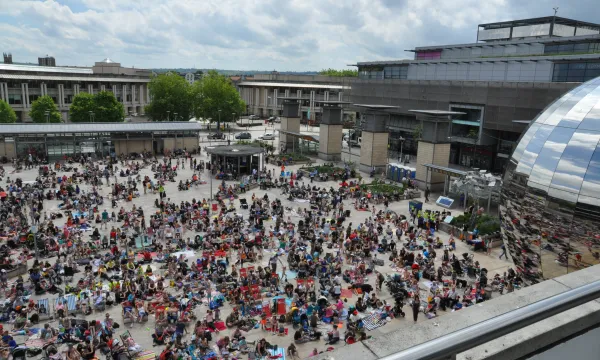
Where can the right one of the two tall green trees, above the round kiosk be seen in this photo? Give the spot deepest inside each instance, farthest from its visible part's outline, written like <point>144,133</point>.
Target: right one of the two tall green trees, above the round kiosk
<point>215,98</point>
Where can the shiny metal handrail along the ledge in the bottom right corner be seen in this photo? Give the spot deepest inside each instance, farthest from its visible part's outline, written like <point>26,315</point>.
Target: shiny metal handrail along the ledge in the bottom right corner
<point>485,331</point>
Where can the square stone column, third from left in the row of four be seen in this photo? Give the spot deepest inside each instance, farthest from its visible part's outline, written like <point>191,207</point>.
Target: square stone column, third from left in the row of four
<point>373,149</point>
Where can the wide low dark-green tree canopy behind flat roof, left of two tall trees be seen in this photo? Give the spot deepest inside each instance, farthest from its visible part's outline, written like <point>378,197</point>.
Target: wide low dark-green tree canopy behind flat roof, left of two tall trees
<point>104,107</point>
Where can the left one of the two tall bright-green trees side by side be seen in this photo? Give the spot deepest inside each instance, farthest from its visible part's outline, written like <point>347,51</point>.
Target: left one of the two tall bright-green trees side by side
<point>170,94</point>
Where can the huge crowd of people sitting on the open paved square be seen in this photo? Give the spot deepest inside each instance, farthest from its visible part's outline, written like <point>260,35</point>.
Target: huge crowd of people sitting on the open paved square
<point>205,277</point>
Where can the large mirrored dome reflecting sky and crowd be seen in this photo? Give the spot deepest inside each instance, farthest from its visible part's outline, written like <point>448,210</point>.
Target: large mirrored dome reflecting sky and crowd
<point>550,200</point>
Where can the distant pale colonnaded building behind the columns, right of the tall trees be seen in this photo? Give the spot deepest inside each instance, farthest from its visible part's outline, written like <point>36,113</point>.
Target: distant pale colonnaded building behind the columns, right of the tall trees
<point>263,94</point>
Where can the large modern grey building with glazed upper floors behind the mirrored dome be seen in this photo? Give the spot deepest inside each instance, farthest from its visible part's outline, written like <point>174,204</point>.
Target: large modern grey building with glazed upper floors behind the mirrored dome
<point>501,82</point>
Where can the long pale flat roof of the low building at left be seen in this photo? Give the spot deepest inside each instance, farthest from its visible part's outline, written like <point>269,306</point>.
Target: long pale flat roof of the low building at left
<point>99,127</point>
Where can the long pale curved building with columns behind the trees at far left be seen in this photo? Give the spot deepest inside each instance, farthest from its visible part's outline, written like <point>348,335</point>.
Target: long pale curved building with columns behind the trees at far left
<point>21,85</point>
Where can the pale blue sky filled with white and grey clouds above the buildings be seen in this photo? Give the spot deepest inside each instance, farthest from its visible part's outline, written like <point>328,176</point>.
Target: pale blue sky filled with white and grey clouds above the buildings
<point>283,35</point>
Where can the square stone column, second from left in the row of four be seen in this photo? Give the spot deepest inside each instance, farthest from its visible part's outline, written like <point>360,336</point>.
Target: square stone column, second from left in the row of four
<point>330,133</point>
